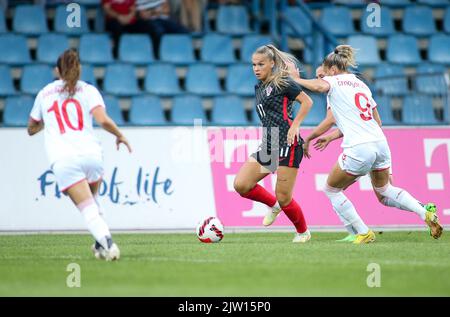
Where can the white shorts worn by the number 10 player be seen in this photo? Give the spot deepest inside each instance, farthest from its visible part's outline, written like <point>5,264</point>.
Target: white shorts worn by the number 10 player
<point>69,172</point>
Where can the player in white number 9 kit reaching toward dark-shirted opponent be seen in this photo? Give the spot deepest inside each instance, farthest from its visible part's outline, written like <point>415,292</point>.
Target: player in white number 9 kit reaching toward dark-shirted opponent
<point>365,148</point>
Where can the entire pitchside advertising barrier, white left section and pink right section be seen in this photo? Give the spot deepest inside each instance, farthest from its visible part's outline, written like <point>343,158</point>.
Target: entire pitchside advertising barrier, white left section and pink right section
<point>177,176</point>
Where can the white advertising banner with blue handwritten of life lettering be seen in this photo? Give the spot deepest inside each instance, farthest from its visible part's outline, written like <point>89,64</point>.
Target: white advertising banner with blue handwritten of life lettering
<point>165,183</point>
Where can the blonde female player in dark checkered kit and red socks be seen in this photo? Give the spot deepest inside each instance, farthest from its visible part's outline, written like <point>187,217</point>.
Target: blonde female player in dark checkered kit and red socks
<point>281,148</point>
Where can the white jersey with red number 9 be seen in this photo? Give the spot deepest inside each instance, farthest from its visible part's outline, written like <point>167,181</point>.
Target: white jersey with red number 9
<point>352,104</point>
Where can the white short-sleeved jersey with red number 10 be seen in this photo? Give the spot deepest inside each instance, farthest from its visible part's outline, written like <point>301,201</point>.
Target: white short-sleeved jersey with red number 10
<point>68,121</point>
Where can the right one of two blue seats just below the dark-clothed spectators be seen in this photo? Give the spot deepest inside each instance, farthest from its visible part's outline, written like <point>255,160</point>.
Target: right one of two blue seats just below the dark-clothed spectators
<point>177,49</point>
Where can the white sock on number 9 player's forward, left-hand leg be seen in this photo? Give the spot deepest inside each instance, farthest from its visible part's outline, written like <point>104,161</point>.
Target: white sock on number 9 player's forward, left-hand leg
<point>345,210</point>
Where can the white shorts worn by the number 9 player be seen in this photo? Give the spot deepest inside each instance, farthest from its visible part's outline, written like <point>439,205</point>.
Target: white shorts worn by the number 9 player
<point>363,158</point>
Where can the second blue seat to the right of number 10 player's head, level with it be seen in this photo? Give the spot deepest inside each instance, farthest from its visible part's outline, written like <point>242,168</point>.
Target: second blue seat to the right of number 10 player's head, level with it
<point>120,80</point>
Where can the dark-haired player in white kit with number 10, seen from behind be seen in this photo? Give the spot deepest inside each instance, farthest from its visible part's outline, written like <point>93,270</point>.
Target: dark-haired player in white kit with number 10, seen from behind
<point>64,110</point>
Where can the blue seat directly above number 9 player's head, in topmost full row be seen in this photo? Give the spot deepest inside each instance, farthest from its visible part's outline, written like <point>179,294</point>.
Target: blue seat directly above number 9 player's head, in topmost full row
<point>337,20</point>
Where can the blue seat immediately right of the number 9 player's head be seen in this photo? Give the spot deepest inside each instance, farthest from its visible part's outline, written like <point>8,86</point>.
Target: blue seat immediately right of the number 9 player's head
<point>367,54</point>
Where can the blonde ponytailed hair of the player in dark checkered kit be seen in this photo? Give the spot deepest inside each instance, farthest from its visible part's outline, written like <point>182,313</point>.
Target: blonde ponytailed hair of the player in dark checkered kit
<point>280,72</point>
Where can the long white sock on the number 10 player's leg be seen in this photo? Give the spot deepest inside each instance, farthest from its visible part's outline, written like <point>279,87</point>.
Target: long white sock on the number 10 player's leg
<point>95,224</point>
